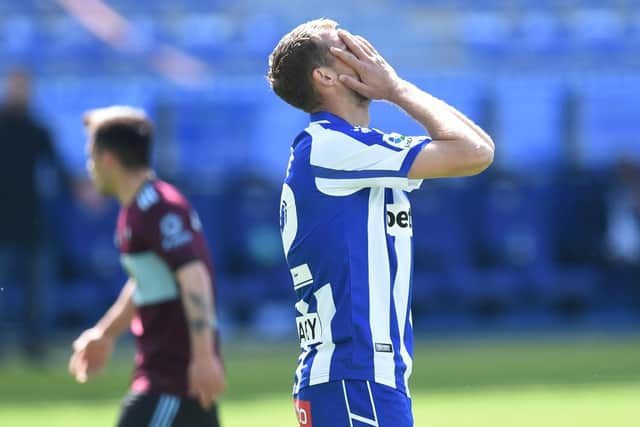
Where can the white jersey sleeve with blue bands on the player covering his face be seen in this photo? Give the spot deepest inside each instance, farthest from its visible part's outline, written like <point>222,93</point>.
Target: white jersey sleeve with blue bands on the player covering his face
<point>346,161</point>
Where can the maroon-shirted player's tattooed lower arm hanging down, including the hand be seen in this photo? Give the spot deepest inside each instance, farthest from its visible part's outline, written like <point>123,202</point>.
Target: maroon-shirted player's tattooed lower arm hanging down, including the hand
<point>206,375</point>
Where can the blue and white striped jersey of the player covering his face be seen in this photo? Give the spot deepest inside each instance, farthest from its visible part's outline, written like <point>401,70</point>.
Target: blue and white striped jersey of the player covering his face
<point>346,229</point>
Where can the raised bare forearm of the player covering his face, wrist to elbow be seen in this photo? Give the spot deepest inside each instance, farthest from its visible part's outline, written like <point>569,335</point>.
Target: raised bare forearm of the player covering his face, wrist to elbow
<point>441,120</point>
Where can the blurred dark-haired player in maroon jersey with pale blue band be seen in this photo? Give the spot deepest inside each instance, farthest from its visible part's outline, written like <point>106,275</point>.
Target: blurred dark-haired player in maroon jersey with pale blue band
<point>168,300</point>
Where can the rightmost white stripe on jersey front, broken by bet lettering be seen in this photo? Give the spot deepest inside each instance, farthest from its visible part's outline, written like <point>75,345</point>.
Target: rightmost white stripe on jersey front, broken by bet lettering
<point>401,288</point>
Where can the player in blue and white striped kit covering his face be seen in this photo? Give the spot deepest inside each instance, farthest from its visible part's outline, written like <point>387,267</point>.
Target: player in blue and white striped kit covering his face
<point>346,221</point>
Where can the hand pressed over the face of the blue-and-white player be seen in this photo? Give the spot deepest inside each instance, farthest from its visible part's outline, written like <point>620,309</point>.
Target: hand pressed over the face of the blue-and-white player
<point>378,80</point>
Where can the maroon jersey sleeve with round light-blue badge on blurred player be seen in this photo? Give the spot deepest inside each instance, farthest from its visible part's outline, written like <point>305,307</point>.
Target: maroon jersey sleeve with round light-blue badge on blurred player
<point>170,233</point>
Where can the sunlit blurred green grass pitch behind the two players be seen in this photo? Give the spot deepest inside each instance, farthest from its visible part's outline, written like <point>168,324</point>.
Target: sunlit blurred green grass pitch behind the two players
<point>586,381</point>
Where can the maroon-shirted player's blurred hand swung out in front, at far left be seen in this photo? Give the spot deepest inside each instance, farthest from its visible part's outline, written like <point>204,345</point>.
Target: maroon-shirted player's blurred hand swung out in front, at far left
<point>92,350</point>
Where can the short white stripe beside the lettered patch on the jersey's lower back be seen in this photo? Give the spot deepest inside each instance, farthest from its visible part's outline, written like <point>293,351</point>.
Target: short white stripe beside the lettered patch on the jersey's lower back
<point>322,361</point>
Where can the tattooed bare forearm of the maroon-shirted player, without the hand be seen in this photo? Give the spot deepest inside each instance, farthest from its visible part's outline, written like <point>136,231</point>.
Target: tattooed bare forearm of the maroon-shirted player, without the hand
<point>197,300</point>
